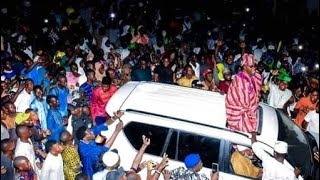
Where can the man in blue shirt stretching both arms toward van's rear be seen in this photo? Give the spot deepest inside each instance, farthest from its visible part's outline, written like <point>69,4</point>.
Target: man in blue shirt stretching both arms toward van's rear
<point>90,151</point>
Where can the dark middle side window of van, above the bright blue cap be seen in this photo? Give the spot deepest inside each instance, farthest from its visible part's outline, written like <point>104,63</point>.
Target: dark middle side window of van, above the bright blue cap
<point>208,148</point>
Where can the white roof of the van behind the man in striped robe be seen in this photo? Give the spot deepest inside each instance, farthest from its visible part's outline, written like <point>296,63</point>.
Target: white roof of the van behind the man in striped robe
<point>172,101</point>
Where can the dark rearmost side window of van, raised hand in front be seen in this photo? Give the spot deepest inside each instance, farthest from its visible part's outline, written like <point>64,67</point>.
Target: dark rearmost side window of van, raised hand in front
<point>135,130</point>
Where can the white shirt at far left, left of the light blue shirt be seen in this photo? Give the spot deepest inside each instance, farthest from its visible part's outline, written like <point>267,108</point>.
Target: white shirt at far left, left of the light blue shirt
<point>23,101</point>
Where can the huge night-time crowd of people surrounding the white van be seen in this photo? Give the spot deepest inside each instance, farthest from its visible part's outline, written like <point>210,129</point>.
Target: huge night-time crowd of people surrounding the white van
<point>58,74</point>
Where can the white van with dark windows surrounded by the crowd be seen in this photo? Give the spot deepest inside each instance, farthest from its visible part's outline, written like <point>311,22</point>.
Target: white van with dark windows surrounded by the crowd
<point>181,120</point>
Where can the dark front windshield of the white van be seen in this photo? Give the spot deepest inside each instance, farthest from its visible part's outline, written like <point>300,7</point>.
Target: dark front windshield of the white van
<point>299,153</point>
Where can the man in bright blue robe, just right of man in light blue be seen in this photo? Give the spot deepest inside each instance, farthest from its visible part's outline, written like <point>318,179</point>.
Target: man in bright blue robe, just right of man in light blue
<point>55,121</point>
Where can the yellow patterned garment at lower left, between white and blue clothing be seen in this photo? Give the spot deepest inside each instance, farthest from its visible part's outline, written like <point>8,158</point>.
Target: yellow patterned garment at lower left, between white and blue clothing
<point>71,160</point>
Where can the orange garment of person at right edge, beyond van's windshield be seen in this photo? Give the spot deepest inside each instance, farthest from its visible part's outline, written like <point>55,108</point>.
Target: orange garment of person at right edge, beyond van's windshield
<point>304,105</point>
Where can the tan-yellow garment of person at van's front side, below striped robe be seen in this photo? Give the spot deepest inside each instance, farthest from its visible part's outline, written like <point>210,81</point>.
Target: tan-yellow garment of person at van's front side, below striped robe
<point>243,166</point>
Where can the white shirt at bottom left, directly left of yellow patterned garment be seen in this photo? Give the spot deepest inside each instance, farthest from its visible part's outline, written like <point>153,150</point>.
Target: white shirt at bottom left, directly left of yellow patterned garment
<point>52,168</point>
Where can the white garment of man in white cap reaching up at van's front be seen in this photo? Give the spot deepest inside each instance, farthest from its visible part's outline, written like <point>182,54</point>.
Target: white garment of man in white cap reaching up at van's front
<point>272,169</point>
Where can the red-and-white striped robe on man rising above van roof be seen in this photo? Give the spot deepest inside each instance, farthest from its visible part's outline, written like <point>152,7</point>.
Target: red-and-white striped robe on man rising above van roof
<point>242,102</point>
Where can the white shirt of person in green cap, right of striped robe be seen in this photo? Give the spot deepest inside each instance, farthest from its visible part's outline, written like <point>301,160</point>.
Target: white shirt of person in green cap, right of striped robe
<point>277,98</point>
